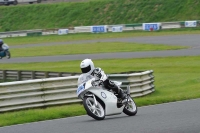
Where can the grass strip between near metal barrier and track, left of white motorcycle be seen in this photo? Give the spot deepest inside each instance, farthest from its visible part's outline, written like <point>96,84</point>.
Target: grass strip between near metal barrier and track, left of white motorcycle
<point>40,114</point>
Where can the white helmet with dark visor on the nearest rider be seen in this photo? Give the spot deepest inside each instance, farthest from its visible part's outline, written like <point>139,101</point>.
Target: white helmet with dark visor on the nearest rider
<point>87,66</point>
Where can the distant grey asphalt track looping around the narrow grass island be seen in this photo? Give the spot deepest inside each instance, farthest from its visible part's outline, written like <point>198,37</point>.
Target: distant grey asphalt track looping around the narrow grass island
<point>193,41</point>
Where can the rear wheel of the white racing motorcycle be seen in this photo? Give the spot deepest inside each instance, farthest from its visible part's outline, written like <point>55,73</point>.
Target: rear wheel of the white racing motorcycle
<point>130,108</point>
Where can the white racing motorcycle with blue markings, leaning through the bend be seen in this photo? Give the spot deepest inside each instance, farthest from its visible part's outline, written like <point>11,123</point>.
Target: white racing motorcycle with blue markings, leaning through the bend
<point>100,102</point>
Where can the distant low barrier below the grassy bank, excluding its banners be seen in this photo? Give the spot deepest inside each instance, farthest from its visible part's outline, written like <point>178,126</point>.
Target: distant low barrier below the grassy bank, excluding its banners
<point>87,29</point>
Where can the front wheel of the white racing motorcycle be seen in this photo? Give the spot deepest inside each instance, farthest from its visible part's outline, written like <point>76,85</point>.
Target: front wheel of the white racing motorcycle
<point>95,111</point>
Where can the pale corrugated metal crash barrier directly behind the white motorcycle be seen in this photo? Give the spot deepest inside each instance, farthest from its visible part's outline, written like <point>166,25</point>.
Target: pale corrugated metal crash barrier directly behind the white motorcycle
<point>58,91</point>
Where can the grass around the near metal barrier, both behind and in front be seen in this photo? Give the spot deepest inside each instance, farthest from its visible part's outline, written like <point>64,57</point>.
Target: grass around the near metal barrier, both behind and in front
<point>176,78</point>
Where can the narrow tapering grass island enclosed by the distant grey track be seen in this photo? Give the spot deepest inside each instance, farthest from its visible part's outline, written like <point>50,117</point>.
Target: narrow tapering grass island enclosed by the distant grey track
<point>99,47</point>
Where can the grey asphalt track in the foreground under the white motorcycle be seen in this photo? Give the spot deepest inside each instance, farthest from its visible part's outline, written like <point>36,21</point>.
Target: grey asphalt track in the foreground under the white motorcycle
<point>177,117</point>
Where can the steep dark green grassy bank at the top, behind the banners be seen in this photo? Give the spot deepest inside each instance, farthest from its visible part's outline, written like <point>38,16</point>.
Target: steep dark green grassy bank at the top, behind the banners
<point>102,12</point>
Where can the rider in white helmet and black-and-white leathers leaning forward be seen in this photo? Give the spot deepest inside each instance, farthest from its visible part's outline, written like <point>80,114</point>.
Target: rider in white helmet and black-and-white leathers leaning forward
<point>89,71</point>
